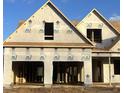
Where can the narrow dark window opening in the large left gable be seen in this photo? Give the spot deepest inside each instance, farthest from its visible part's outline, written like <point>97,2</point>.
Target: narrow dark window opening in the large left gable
<point>49,31</point>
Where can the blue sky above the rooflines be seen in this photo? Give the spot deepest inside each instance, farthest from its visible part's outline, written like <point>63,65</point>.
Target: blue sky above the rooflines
<point>15,10</point>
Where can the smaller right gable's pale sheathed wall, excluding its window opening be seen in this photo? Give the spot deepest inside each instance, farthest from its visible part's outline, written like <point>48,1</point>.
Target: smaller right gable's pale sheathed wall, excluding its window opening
<point>94,20</point>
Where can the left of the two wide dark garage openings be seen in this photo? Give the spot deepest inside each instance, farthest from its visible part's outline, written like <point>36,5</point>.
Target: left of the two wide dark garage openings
<point>28,72</point>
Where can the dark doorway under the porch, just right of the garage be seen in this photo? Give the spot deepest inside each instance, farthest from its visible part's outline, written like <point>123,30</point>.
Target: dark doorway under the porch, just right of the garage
<point>97,70</point>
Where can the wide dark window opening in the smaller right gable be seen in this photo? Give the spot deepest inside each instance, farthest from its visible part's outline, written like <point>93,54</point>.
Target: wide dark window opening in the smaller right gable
<point>95,35</point>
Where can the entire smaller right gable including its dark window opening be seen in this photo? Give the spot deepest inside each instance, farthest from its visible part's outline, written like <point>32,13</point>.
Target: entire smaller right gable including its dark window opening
<point>97,29</point>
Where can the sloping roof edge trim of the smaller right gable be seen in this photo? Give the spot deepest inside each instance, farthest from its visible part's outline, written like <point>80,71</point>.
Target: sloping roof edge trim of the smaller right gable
<point>95,11</point>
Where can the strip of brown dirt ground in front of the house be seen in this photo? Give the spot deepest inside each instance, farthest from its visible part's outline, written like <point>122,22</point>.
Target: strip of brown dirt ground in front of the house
<point>63,90</point>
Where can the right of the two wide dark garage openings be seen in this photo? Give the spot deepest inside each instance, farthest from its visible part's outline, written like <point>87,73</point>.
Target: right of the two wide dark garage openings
<point>68,72</point>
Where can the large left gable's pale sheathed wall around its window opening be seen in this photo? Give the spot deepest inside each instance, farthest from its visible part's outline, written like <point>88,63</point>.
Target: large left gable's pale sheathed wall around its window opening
<point>64,31</point>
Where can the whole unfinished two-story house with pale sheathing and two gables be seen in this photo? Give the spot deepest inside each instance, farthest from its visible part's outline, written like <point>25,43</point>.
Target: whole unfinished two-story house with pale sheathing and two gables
<point>48,49</point>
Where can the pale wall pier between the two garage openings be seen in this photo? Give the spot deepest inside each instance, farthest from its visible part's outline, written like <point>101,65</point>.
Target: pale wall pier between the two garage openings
<point>48,72</point>
